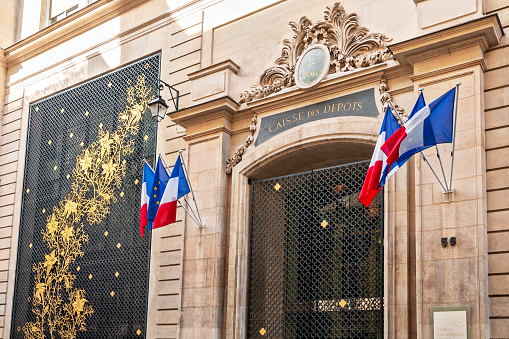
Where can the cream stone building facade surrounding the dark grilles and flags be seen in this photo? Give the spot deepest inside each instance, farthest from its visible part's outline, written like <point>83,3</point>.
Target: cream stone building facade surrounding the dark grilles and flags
<point>236,64</point>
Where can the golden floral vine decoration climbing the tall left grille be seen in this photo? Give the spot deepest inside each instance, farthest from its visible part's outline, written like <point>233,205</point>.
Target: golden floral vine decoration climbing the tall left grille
<point>60,309</point>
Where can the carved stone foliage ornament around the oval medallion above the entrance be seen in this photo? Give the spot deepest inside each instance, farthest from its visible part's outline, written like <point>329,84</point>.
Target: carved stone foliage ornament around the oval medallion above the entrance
<point>350,47</point>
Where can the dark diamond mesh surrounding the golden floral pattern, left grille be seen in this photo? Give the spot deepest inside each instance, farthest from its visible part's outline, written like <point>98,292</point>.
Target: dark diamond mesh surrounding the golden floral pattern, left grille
<point>115,265</point>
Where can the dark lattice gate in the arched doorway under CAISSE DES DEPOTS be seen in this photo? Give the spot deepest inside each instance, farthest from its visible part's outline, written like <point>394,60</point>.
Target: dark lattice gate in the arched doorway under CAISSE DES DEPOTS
<point>316,267</point>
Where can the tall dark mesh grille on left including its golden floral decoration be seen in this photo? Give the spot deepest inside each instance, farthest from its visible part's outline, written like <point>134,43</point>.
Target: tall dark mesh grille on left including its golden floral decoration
<point>78,288</point>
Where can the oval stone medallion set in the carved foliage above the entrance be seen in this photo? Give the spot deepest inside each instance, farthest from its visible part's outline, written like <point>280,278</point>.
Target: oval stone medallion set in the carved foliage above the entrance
<point>312,66</point>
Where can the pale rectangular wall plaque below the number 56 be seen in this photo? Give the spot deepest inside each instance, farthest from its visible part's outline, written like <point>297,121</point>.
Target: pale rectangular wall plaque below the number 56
<point>450,322</point>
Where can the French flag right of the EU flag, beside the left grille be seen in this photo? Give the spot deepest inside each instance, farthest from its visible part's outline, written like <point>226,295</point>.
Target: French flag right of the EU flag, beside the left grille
<point>176,188</point>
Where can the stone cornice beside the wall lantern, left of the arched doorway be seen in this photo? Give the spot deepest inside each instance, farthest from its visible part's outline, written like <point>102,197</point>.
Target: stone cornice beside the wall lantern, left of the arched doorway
<point>217,108</point>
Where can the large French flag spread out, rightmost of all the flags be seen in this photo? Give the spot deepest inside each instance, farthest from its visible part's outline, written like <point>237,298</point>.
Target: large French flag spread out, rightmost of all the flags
<point>431,125</point>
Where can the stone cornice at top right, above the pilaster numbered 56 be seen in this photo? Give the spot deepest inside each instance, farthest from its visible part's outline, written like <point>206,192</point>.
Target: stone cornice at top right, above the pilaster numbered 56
<point>487,27</point>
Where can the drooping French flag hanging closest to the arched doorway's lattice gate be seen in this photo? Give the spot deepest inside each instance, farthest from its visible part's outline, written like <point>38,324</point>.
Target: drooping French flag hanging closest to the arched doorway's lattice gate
<point>371,185</point>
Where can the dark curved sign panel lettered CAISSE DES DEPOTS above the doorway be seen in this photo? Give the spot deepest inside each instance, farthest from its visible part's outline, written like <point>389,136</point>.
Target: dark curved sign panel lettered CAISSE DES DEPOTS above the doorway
<point>356,104</point>
